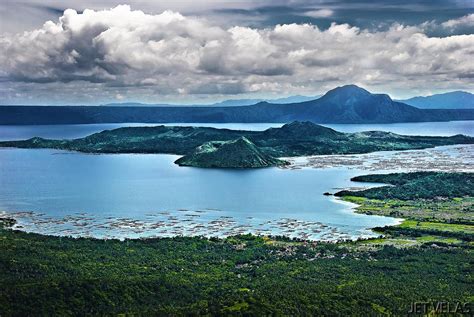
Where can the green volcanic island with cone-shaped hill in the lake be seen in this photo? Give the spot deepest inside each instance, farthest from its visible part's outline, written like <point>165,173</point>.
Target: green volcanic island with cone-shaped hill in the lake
<point>211,147</point>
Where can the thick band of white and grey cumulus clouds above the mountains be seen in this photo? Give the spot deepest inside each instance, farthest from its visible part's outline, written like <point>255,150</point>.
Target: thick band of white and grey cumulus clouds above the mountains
<point>128,52</point>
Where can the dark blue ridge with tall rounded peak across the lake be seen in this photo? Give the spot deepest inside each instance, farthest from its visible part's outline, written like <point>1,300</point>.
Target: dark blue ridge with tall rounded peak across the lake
<point>346,104</point>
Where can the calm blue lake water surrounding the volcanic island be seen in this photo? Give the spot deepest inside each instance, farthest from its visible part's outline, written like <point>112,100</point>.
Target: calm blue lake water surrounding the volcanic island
<point>134,195</point>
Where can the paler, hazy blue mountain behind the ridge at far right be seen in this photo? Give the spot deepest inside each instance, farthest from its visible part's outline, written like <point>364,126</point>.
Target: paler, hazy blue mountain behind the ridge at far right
<point>450,100</point>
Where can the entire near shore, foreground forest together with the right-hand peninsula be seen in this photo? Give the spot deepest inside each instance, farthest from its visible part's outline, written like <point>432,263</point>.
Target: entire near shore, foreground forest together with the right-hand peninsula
<point>428,258</point>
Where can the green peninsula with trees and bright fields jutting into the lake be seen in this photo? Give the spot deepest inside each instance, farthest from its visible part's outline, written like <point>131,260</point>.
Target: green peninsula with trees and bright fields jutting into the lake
<point>439,206</point>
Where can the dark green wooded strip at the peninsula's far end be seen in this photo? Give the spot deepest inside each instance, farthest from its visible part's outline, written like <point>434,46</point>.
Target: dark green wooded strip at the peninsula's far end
<point>419,185</point>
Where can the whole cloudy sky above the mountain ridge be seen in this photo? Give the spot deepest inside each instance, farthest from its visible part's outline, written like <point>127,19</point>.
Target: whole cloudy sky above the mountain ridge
<point>88,52</point>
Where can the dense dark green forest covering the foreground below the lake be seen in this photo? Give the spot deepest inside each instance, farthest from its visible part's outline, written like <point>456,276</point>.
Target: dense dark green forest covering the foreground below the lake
<point>43,275</point>
